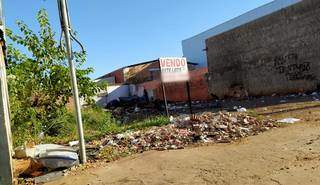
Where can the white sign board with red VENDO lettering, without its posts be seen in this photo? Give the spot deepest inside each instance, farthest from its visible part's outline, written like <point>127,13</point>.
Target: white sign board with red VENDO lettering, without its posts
<point>174,69</point>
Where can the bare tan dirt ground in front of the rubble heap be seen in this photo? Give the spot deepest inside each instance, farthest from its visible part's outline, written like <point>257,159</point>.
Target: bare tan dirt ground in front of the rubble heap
<point>286,155</point>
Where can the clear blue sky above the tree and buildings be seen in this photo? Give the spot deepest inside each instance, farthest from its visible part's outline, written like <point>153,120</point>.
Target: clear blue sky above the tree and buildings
<point>117,33</point>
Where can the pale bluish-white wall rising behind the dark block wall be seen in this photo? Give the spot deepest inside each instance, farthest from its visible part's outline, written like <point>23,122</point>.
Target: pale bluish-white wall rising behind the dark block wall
<point>193,48</point>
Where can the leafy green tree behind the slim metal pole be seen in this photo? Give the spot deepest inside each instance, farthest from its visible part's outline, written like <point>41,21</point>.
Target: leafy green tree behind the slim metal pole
<point>39,81</point>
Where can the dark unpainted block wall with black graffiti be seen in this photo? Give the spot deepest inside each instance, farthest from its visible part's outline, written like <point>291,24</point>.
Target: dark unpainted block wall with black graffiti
<point>279,53</point>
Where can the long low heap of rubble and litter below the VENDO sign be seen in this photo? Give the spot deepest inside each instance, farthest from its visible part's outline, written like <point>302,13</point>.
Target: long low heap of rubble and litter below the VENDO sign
<point>220,127</point>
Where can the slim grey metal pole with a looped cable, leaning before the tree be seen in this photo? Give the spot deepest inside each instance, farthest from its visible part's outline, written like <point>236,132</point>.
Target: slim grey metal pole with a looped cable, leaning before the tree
<point>65,24</point>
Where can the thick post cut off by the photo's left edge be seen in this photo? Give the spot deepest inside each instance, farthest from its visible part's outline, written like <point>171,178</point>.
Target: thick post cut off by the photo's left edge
<point>6,172</point>
